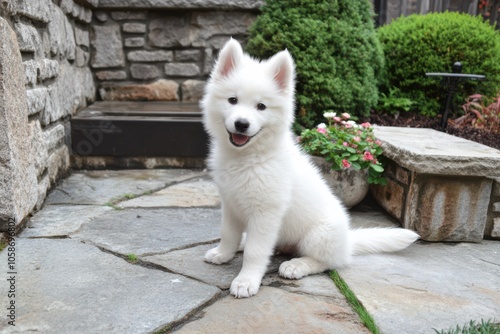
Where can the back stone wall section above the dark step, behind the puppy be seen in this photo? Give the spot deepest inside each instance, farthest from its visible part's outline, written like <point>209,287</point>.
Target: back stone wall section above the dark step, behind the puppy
<point>164,53</point>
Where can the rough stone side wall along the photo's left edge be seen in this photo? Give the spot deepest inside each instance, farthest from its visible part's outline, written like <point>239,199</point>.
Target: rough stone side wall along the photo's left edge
<point>49,41</point>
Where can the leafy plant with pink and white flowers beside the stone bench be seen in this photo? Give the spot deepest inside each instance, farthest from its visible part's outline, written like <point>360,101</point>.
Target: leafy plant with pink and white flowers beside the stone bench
<point>345,144</point>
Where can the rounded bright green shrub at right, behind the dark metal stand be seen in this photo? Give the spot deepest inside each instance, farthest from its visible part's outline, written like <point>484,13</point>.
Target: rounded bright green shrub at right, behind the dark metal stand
<point>417,44</point>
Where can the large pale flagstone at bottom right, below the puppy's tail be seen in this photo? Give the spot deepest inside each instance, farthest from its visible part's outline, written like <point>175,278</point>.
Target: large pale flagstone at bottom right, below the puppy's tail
<point>428,285</point>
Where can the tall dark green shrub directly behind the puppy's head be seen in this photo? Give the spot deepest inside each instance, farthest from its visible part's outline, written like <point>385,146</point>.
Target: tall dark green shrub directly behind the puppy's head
<point>334,44</point>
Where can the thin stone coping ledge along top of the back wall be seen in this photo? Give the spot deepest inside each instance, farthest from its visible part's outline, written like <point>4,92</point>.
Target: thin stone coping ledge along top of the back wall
<point>182,4</point>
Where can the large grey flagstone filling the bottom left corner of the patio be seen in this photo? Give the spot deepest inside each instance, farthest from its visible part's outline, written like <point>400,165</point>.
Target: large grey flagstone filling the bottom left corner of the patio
<point>65,286</point>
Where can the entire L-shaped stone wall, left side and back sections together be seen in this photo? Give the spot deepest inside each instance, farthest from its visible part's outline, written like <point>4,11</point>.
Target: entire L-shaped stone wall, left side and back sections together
<point>55,55</point>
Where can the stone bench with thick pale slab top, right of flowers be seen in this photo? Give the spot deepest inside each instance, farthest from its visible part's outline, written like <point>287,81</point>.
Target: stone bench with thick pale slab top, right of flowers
<point>444,187</point>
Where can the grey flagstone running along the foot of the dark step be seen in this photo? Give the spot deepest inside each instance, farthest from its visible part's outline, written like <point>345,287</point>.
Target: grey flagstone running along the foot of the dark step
<point>101,187</point>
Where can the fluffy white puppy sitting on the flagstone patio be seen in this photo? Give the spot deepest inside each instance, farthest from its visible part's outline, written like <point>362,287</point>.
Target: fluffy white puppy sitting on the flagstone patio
<point>268,186</point>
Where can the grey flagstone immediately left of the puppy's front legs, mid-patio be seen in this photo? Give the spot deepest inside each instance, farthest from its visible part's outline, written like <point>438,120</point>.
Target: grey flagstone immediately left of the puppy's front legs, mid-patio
<point>152,231</point>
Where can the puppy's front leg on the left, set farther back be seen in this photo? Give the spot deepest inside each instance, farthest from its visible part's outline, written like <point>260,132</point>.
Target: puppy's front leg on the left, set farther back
<point>231,234</point>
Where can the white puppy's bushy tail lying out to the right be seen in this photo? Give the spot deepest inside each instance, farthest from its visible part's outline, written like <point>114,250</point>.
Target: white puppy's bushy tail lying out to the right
<point>377,240</point>
